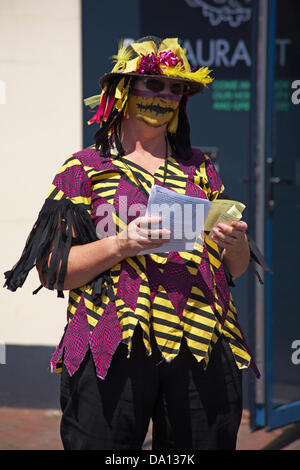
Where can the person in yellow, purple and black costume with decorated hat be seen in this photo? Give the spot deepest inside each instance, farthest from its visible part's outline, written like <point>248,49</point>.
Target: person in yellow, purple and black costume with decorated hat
<point>151,336</point>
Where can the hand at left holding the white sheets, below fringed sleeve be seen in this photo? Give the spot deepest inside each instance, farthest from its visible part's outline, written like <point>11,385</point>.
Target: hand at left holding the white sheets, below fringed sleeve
<point>139,236</point>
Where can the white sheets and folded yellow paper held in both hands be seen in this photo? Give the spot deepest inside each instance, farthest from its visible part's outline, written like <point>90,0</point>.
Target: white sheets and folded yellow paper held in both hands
<point>188,217</point>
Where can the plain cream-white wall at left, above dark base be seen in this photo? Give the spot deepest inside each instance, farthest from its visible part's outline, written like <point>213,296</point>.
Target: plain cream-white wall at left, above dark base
<point>40,126</point>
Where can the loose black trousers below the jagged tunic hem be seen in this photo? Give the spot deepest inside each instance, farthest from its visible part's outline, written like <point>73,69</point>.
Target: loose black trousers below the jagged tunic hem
<point>191,409</point>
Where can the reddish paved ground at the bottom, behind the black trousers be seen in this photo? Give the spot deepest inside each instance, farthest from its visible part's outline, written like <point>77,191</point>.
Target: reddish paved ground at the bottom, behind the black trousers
<point>32,429</point>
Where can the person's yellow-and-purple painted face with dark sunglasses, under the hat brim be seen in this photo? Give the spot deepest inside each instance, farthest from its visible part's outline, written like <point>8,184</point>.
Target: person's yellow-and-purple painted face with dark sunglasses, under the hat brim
<point>154,101</point>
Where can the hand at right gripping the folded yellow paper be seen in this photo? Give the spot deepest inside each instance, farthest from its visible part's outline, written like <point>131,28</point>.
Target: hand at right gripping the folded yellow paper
<point>232,237</point>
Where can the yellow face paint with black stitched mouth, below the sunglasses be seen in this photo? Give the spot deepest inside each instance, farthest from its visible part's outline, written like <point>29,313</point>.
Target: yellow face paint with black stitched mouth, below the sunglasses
<point>152,109</point>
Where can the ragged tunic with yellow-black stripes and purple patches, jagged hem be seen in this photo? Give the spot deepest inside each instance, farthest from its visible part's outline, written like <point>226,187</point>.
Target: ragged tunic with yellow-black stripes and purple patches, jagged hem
<point>182,294</point>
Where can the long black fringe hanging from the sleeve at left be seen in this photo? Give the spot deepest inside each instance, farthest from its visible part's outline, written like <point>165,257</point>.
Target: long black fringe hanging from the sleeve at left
<point>55,221</point>
